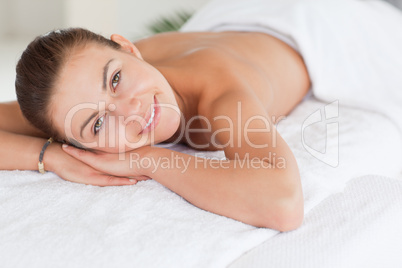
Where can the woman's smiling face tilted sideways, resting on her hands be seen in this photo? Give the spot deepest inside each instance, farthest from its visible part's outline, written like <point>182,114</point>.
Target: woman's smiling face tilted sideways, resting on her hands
<point>113,101</point>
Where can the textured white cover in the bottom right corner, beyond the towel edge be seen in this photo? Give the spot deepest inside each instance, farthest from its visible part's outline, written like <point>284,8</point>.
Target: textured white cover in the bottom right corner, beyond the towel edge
<point>360,227</point>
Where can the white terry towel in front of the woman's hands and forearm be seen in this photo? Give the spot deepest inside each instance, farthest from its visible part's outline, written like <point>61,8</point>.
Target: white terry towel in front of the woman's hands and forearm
<point>47,222</point>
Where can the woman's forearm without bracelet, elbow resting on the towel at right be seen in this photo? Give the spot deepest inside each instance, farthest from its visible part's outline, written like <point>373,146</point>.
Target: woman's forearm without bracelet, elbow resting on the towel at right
<point>249,190</point>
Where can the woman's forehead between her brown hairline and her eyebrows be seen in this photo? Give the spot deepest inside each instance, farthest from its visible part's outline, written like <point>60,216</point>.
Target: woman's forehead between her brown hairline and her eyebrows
<point>78,88</point>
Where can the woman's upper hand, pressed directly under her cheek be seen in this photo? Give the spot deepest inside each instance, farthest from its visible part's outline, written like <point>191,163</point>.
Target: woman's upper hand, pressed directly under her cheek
<point>113,164</point>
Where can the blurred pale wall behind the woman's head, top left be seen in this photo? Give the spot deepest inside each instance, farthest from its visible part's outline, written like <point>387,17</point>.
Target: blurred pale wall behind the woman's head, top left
<point>22,20</point>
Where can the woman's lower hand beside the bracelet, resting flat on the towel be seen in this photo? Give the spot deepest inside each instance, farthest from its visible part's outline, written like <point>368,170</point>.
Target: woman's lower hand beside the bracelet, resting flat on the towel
<point>74,170</point>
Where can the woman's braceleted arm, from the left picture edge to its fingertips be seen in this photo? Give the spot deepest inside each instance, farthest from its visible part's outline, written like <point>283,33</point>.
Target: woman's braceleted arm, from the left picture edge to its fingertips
<point>21,144</point>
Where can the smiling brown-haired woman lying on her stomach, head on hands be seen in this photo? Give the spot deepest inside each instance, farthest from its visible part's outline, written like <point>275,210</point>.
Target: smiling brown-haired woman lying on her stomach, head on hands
<point>208,90</point>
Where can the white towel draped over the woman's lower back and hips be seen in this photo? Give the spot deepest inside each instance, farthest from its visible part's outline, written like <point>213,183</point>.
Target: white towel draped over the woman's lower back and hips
<point>352,48</point>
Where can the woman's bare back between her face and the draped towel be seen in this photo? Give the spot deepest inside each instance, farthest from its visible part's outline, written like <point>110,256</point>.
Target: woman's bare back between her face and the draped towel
<point>204,67</point>
